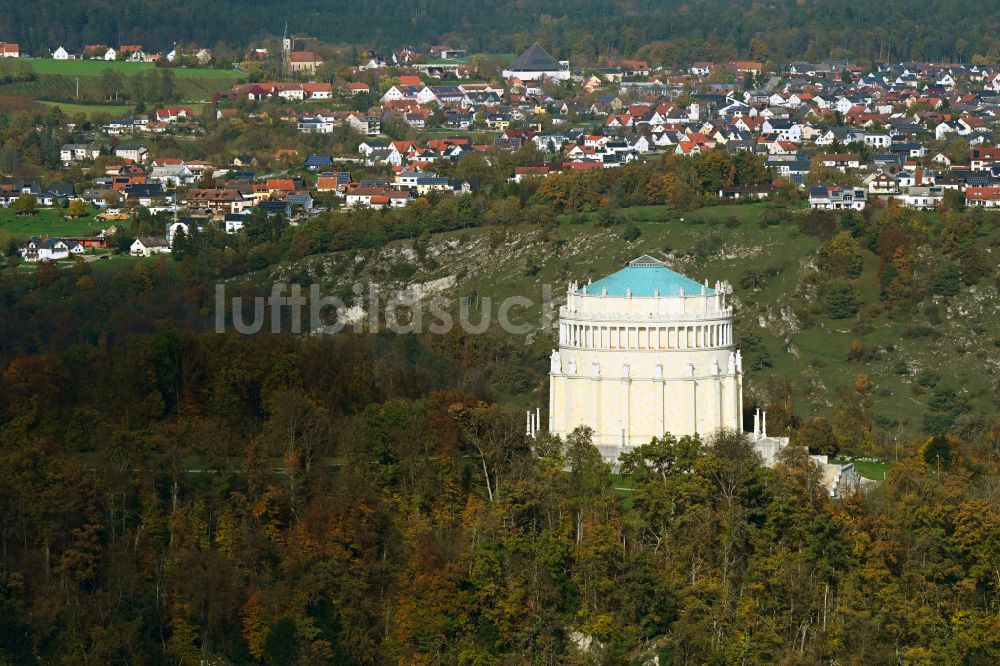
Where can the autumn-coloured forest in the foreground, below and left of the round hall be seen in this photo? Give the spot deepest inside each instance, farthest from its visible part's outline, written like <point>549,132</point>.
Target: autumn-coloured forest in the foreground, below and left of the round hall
<point>170,497</point>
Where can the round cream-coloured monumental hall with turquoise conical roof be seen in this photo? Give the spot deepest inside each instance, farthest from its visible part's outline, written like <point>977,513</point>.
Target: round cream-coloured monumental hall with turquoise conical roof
<point>642,352</point>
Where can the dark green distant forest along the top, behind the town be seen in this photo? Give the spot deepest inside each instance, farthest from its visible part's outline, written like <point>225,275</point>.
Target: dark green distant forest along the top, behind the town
<point>583,30</point>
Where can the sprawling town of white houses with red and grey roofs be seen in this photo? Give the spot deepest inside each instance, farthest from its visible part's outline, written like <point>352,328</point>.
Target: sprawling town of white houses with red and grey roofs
<point>841,134</point>
